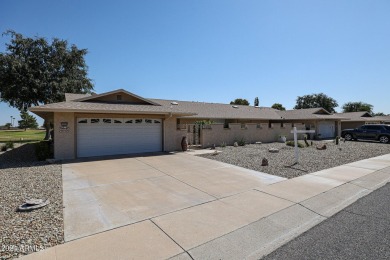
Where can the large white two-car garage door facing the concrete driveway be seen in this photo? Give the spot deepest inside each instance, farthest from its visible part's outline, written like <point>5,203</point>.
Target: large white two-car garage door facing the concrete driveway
<point>109,136</point>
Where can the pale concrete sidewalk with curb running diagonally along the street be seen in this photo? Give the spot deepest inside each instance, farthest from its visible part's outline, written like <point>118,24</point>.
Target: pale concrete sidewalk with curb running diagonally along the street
<point>246,225</point>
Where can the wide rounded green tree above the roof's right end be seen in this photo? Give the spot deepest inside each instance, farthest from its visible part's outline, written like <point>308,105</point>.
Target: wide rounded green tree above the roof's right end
<point>316,101</point>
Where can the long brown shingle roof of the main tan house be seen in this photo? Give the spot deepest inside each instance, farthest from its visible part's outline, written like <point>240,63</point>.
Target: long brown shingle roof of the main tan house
<point>202,110</point>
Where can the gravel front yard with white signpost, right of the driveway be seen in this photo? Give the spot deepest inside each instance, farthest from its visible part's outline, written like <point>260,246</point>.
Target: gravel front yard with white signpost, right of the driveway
<point>311,159</point>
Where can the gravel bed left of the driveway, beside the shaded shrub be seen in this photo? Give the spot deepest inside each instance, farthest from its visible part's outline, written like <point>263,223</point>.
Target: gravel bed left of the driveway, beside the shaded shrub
<point>23,177</point>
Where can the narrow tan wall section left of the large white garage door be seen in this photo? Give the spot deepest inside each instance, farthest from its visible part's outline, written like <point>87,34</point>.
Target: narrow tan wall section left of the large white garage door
<point>64,137</point>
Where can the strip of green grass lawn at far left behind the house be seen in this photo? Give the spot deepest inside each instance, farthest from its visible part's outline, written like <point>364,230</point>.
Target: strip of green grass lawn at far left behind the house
<point>21,135</point>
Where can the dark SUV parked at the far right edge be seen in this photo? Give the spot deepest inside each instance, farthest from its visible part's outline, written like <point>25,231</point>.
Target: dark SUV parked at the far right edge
<point>378,132</point>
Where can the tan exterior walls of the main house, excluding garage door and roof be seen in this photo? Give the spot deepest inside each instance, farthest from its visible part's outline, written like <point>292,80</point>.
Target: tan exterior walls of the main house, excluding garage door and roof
<point>65,140</point>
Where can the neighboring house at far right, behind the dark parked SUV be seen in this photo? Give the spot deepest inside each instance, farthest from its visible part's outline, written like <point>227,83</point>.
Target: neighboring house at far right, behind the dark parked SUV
<point>356,119</point>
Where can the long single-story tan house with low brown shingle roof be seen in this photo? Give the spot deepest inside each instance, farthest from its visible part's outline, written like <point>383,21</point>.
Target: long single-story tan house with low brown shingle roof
<point>120,122</point>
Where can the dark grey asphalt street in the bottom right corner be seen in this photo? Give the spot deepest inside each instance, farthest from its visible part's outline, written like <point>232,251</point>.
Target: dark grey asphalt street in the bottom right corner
<point>360,231</point>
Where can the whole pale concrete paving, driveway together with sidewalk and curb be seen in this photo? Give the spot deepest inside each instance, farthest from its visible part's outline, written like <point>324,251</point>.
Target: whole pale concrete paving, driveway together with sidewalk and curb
<point>181,207</point>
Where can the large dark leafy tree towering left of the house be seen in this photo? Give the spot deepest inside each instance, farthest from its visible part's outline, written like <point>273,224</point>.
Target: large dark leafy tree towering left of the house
<point>35,72</point>
